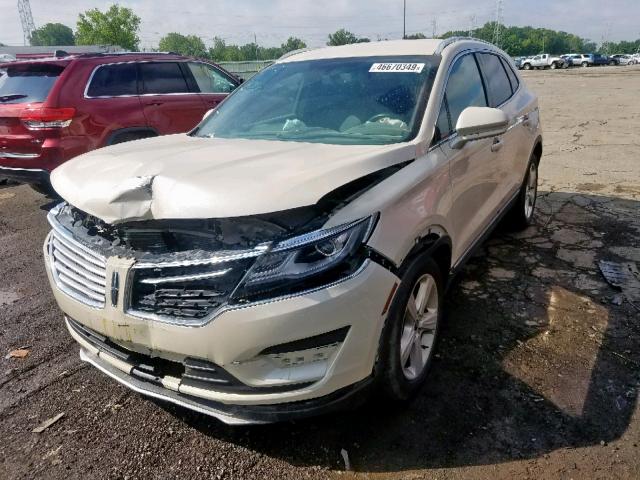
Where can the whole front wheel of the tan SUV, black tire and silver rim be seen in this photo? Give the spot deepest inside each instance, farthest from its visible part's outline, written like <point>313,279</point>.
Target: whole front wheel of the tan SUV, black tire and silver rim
<point>397,380</point>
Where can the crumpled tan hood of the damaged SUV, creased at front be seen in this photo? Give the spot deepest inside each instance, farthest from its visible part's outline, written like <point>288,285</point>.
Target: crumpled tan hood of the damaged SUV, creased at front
<point>180,177</point>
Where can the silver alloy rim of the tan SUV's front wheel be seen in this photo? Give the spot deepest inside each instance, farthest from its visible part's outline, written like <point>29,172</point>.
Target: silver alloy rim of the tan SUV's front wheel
<point>419,327</point>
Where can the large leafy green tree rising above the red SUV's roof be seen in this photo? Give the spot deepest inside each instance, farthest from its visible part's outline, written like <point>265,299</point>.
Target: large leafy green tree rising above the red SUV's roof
<point>117,26</point>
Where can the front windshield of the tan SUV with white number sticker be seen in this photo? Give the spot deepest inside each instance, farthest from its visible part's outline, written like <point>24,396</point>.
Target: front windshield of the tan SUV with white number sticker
<point>350,101</point>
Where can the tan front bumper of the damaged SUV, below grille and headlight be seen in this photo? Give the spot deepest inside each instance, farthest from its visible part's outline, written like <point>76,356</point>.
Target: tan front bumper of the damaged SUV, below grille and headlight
<point>236,341</point>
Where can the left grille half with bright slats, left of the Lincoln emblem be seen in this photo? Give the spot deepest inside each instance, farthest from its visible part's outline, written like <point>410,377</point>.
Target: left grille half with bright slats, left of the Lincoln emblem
<point>77,271</point>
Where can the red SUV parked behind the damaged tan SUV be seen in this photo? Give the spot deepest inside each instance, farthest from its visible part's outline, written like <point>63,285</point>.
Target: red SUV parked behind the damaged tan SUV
<point>54,109</point>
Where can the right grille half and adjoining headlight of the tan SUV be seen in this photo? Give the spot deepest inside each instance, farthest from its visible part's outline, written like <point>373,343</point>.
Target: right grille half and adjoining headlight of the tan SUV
<point>190,291</point>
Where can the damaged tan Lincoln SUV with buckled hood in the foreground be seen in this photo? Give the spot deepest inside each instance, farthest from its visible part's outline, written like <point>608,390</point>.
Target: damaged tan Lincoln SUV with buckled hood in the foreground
<point>292,252</point>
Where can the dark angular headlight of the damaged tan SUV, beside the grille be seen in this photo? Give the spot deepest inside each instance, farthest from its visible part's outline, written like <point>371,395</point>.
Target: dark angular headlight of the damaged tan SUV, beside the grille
<point>307,261</point>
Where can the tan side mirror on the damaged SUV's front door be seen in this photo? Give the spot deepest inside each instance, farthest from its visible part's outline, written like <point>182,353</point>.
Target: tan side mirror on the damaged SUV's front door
<point>476,123</point>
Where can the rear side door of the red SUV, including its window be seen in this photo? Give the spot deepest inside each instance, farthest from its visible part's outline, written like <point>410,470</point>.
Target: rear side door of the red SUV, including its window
<point>169,104</point>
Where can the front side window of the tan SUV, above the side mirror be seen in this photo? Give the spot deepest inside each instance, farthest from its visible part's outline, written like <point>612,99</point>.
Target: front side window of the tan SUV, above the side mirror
<point>464,88</point>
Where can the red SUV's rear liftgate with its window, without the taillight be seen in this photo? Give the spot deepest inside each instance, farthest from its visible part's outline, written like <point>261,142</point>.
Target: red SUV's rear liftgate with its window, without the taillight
<point>22,86</point>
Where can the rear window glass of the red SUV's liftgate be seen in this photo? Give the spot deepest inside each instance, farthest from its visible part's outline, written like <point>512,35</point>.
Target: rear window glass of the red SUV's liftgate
<point>28,84</point>
